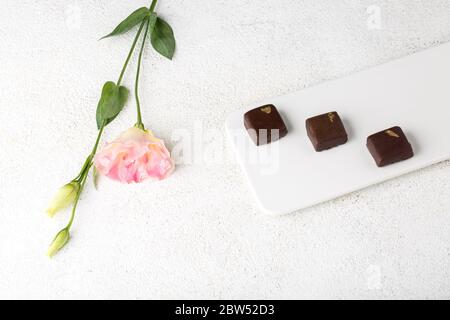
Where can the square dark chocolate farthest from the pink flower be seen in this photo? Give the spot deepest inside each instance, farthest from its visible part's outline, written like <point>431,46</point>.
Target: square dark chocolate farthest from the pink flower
<point>389,146</point>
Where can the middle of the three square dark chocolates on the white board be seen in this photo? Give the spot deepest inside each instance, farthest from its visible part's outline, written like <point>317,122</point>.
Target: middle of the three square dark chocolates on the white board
<point>326,131</point>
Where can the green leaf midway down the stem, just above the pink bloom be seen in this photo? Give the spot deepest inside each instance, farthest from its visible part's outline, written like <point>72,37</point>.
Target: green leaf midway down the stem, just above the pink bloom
<point>111,103</point>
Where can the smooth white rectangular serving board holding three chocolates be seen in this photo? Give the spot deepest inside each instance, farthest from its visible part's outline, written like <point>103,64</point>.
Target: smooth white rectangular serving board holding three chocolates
<point>412,92</point>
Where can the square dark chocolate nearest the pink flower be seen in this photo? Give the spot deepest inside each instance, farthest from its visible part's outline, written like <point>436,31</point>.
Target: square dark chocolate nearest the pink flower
<point>265,125</point>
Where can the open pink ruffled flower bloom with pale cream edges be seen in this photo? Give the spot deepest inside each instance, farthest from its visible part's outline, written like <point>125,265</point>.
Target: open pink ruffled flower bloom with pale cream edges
<point>134,156</point>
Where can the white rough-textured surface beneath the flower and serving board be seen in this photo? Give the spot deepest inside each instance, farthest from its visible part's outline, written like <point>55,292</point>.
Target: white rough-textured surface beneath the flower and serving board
<point>200,234</point>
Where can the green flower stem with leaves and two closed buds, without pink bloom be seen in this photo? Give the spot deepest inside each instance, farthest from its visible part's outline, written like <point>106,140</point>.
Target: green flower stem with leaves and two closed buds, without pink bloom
<point>112,101</point>
